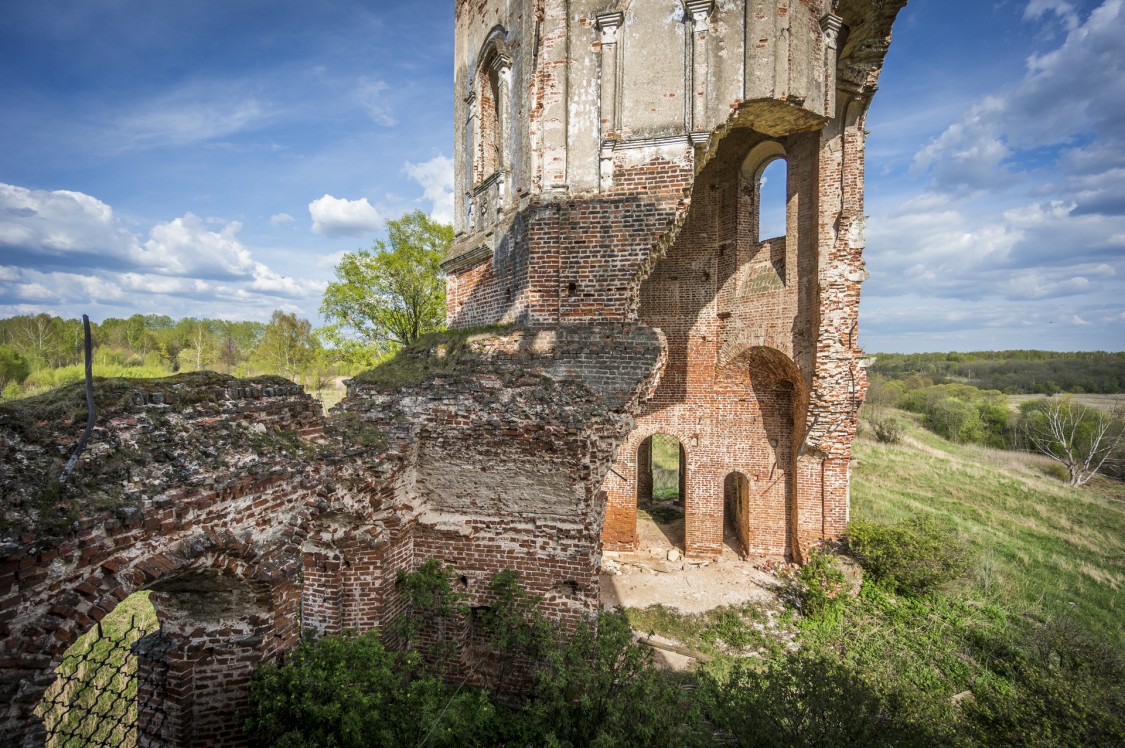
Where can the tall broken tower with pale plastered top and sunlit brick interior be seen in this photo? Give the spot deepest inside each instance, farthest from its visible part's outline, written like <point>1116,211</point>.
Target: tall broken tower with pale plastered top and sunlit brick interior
<point>609,169</point>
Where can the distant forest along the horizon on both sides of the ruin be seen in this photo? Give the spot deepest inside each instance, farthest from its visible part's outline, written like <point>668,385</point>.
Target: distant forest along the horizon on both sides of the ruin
<point>39,353</point>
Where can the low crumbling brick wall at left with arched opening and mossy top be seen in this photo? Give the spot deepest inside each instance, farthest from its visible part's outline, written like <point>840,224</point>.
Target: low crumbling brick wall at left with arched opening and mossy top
<point>193,489</point>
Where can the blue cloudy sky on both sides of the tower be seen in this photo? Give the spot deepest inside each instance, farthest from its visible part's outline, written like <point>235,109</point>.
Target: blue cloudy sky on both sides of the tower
<point>215,158</point>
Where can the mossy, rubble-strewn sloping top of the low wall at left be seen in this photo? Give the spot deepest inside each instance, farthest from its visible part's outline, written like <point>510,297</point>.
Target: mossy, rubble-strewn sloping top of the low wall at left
<point>136,449</point>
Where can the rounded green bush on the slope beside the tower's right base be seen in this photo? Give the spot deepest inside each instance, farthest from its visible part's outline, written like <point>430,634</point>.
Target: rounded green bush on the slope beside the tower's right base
<point>912,557</point>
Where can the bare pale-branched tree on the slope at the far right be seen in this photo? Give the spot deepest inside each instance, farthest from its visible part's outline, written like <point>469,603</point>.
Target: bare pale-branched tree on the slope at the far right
<point>1079,438</point>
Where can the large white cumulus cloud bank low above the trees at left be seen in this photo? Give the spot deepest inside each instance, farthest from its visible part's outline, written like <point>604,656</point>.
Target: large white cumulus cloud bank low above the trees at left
<point>66,250</point>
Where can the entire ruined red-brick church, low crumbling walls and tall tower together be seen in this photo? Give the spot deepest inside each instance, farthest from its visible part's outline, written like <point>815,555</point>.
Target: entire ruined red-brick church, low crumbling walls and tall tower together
<point>611,280</point>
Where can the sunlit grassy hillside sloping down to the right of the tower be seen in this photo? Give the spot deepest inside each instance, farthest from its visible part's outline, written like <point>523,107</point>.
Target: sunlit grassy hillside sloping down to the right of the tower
<point>1041,548</point>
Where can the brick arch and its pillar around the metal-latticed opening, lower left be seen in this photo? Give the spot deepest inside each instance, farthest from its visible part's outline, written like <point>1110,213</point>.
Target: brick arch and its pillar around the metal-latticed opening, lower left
<point>66,610</point>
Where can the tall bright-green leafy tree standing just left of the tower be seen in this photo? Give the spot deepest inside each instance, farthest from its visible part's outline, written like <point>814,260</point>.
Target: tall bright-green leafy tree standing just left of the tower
<point>391,295</point>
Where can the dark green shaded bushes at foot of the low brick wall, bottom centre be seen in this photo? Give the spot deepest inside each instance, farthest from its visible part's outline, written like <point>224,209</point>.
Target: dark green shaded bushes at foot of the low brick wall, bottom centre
<point>591,686</point>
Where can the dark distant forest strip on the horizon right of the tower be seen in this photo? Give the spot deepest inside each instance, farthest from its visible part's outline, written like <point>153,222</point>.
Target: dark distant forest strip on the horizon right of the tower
<point>1015,373</point>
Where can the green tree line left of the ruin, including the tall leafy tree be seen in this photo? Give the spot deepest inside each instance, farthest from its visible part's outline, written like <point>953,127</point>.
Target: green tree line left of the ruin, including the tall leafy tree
<point>382,299</point>
